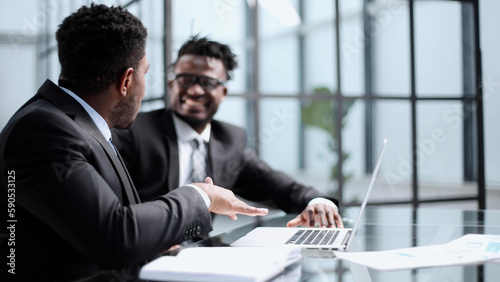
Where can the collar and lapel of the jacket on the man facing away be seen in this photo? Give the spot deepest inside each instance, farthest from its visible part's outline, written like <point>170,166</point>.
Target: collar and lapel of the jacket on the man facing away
<point>72,108</point>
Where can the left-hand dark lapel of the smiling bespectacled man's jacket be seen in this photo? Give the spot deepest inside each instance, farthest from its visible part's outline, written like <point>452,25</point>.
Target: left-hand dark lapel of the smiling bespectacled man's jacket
<point>170,136</point>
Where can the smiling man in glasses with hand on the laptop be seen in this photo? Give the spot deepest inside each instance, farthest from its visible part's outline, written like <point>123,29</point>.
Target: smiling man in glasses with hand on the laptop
<point>157,148</point>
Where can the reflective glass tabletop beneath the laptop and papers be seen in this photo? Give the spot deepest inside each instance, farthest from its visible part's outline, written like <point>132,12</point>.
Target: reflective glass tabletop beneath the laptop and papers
<point>385,228</point>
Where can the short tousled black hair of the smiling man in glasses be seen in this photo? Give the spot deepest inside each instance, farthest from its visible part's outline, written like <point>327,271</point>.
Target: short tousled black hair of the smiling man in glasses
<point>203,46</point>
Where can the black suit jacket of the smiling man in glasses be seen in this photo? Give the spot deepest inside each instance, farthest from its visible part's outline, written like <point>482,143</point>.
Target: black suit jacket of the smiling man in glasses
<point>150,152</point>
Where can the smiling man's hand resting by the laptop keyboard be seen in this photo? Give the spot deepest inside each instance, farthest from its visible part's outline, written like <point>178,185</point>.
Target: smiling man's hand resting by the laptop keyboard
<point>318,214</point>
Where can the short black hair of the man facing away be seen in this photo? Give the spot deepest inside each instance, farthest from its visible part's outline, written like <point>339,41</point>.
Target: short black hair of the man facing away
<point>96,45</point>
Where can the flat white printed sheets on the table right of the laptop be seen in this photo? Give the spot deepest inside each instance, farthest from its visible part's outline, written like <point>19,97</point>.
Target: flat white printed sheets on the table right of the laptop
<point>469,249</point>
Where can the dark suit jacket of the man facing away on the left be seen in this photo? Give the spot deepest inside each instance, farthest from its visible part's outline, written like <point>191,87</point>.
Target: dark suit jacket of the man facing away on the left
<point>76,210</point>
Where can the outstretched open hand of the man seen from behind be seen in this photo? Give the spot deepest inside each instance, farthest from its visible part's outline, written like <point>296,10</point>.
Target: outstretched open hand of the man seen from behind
<point>223,201</point>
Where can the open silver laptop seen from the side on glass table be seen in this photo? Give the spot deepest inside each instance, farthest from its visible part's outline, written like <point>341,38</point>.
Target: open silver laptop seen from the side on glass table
<point>309,238</point>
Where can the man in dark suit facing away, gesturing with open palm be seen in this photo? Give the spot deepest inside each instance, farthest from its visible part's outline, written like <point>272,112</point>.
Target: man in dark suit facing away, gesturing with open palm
<point>71,209</point>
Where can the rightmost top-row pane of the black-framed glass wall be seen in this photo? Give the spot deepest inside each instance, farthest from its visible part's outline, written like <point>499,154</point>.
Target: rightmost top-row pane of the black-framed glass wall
<point>438,49</point>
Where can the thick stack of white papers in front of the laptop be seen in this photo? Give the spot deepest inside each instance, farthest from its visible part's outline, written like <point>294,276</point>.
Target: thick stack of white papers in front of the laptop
<point>221,264</point>
